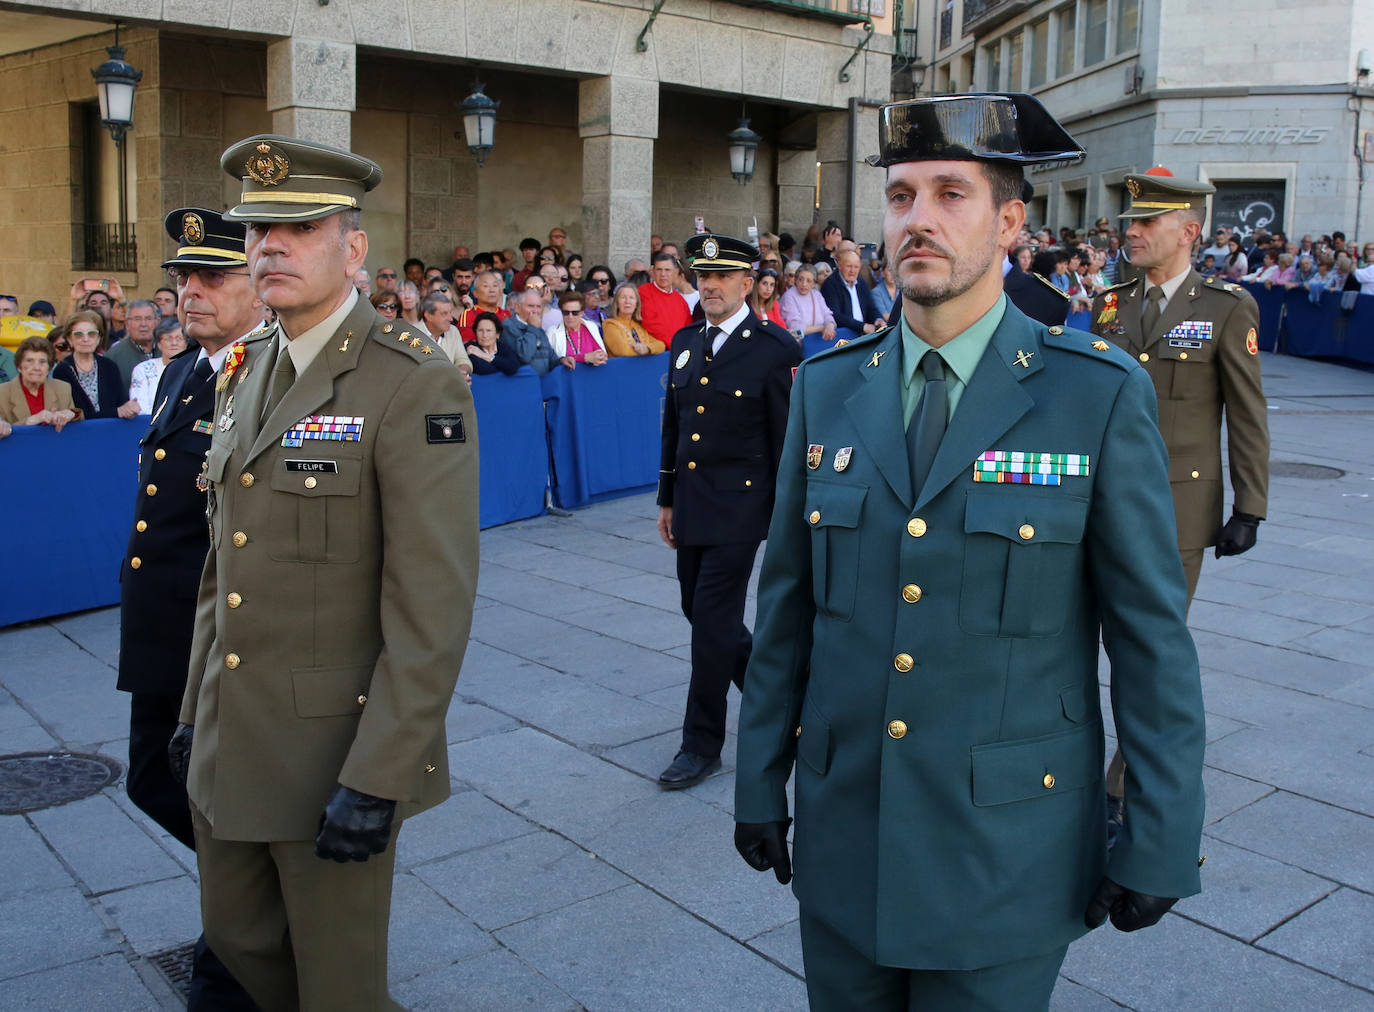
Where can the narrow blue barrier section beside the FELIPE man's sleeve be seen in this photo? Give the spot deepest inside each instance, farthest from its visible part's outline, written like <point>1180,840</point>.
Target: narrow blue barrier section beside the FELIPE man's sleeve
<point>513,452</point>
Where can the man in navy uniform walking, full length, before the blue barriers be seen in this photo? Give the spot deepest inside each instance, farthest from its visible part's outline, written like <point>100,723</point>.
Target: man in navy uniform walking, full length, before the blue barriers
<point>723,429</point>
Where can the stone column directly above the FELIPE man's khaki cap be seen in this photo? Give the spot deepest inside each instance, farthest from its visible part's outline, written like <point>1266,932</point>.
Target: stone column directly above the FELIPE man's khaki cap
<point>313,90</point>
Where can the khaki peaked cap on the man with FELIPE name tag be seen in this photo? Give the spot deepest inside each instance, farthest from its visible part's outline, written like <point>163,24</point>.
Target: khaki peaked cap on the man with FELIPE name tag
<point>288,179</point>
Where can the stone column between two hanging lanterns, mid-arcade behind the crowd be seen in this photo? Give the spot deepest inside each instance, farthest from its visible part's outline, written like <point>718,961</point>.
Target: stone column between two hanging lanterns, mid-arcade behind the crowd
<point>618,120</point>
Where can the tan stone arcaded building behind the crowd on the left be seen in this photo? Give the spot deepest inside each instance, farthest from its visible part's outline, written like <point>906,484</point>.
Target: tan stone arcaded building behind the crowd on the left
<point>612,122</point>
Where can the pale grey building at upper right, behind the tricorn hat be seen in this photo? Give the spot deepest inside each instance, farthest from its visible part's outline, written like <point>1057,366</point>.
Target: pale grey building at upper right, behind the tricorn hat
<point>1272,102</point>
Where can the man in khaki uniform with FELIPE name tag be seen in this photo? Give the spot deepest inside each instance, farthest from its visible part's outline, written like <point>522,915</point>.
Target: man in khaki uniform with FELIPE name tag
<point>343,491</point>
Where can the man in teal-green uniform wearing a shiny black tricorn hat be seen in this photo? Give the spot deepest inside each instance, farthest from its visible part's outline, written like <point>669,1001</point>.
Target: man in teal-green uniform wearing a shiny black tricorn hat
<point>965,503</point>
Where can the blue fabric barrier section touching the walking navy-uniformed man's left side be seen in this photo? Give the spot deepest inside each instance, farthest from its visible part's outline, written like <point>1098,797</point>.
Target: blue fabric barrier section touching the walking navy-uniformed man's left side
<point>604,425</point>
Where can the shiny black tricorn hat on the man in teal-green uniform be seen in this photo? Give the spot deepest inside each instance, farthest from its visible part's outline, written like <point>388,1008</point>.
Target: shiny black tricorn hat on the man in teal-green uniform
<point>972,128</point>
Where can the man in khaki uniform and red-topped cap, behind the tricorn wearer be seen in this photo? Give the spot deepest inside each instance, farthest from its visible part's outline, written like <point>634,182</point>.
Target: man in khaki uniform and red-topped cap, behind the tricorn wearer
<point>1197,338</point>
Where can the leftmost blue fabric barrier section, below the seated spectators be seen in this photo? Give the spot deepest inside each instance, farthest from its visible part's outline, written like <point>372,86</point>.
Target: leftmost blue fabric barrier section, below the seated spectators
<point>67,506</point>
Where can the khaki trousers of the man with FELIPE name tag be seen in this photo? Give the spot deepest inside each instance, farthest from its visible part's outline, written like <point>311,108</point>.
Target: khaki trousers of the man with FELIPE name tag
<point>300,933</point>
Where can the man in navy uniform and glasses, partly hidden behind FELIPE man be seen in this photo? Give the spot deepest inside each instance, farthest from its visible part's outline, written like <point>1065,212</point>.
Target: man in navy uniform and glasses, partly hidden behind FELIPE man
<point>161,572</point>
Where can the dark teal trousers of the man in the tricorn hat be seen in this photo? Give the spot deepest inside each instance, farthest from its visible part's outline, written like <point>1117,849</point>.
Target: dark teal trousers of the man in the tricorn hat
<point>843,980</point>
